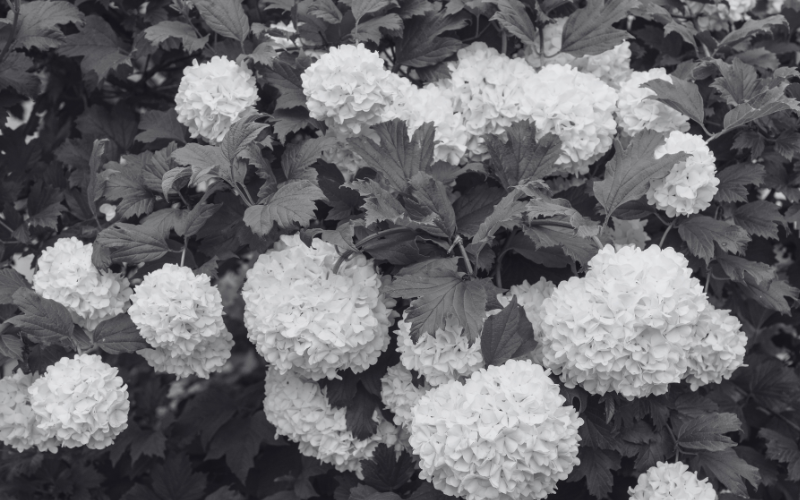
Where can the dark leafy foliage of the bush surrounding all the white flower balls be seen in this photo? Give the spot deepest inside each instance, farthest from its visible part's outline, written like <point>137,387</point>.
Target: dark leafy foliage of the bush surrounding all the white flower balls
<point>102,77</point>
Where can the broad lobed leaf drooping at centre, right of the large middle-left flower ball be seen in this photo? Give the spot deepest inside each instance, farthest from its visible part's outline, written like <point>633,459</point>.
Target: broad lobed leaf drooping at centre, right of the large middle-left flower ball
<point>441,294</point>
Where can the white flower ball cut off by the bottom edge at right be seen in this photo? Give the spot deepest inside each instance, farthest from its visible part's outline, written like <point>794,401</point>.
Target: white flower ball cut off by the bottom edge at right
<point>665,481</point>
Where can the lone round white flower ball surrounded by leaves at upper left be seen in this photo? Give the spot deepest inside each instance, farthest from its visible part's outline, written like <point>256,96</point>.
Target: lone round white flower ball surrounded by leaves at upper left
<point>213,96</point>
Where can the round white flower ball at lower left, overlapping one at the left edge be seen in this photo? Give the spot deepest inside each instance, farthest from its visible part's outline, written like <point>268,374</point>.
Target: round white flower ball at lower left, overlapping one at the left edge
<point>81,401</point>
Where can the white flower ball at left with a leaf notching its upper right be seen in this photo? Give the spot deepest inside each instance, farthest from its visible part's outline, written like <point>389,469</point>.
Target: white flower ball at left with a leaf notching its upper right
<point>66,274</point>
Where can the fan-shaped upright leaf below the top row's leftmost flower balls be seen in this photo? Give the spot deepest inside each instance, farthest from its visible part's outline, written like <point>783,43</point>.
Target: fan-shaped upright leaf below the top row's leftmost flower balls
<point>396,158</point>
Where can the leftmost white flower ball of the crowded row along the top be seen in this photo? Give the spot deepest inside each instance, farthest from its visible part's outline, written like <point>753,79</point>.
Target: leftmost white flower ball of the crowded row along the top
<point>350,89</point>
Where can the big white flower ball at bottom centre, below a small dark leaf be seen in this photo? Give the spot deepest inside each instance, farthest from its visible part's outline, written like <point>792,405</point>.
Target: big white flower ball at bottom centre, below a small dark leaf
<point>504,434</point>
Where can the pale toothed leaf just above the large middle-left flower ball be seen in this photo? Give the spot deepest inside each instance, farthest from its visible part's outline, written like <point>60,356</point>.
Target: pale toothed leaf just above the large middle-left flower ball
<point>293,202</point>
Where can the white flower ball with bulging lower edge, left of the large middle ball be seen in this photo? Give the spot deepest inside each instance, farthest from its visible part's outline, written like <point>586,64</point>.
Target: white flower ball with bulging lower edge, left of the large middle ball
<point>180,316</point>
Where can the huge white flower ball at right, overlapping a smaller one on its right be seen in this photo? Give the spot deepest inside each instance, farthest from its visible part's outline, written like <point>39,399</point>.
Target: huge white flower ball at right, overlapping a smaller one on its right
<point>627,325</point>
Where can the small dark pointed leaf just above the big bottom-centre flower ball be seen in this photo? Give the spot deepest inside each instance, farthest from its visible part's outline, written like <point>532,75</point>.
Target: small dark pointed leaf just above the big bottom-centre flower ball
<point>506,335</point>
